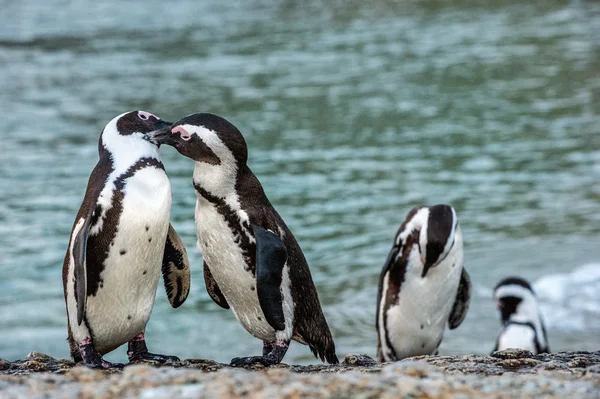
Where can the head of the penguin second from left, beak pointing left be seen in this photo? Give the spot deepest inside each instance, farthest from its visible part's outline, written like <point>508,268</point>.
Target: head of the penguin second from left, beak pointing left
<point>207,138</point>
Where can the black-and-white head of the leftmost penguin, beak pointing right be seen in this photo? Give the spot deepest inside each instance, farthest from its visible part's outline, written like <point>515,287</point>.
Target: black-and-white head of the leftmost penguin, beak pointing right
<point>129,131</point>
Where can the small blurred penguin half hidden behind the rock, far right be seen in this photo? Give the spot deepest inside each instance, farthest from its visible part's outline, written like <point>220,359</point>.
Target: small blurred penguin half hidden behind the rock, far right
<point>522,324</point>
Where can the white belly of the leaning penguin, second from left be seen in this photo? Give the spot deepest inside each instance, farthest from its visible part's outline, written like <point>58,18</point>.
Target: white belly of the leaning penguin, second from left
<point>226,264</point>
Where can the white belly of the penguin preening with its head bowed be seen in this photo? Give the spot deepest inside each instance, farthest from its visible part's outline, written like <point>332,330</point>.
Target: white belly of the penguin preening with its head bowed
<point>416,323</point>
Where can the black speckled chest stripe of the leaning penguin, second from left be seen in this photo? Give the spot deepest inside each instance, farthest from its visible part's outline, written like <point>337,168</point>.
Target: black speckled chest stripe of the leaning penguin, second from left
<point>239,228</point>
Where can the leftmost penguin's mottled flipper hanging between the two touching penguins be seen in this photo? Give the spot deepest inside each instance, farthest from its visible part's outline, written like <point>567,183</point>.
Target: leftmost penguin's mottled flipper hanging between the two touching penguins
<point>175,269</point>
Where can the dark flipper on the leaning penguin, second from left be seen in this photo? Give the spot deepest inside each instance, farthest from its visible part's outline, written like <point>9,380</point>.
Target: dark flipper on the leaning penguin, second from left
<point>271,256</point>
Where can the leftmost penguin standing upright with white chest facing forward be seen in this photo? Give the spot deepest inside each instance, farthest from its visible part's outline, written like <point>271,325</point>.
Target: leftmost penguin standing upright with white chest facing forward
<point>120,242</point>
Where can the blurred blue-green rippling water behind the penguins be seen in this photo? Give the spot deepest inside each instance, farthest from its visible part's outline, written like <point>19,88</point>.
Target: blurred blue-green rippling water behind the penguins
<point>354,112</point>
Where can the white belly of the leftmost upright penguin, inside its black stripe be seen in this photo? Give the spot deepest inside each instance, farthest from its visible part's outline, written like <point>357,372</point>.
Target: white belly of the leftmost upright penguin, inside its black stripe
<point>123,303</point>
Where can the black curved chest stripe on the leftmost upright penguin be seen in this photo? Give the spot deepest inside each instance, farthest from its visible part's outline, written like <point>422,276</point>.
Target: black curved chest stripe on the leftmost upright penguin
<point>99,244</point>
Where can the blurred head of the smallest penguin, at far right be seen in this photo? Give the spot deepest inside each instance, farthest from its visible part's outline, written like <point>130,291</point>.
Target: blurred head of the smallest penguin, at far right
<point>516,300</point>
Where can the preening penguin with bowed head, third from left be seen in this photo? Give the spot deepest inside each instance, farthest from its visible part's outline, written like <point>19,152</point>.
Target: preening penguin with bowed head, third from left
<point>423,285</point>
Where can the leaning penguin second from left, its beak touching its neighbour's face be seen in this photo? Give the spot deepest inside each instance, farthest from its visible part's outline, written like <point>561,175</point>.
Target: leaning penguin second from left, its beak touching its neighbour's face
<point>252,262</point>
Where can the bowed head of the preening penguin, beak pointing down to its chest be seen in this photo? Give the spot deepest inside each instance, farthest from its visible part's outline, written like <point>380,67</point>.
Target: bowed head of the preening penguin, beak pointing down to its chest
<point>434,230</point>
